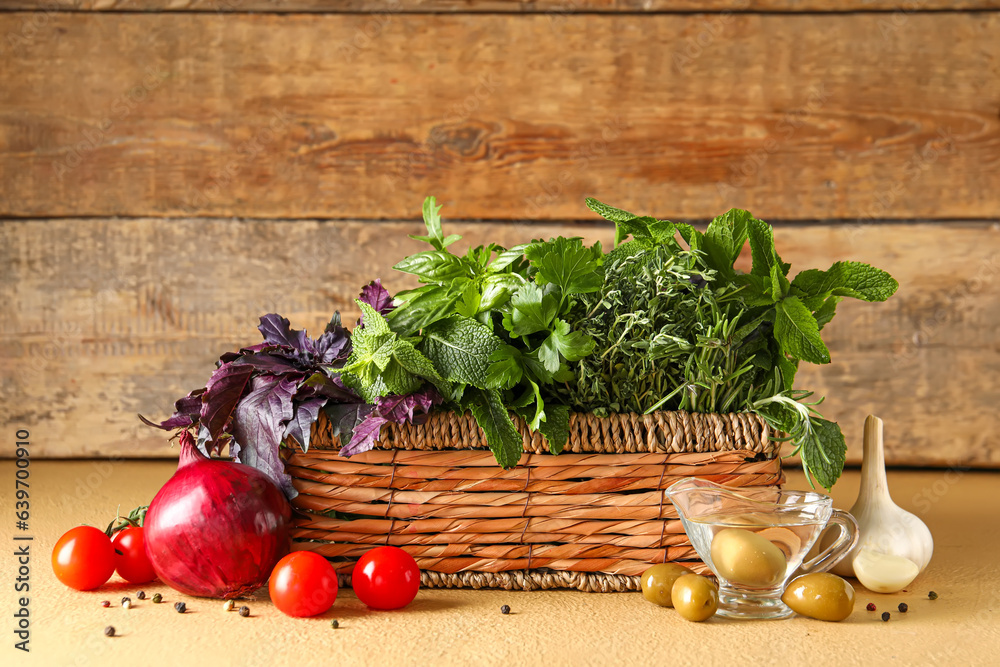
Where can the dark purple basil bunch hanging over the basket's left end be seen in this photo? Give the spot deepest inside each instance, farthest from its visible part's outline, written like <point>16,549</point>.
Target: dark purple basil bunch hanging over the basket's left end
<point>265,395</point>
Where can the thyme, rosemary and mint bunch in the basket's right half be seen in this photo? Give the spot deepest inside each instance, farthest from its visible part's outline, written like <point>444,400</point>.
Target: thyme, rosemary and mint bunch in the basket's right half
<point>679,328</point>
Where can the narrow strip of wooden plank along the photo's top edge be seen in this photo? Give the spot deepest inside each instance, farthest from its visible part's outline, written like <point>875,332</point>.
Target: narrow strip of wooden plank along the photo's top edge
<point>557,7</point>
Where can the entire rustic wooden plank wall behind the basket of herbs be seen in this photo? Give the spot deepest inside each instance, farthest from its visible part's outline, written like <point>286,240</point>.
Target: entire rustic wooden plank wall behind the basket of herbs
<point>171,170</point>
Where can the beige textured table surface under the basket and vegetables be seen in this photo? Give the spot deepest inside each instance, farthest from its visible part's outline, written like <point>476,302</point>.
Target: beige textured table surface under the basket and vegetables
<point>456,627</point>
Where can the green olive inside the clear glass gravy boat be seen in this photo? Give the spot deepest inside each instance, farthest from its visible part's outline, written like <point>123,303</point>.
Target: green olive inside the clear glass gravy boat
<point>744,557</point>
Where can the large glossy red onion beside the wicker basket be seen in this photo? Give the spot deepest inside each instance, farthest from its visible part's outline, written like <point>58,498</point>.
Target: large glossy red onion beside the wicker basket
<point>216,528</point>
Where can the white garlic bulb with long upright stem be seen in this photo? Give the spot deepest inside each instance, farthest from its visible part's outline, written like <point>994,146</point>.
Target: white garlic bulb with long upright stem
<point>885,528</point>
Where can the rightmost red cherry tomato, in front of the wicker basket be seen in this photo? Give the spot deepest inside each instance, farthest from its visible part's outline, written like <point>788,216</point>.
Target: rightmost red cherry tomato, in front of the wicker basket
<point>386,578</point>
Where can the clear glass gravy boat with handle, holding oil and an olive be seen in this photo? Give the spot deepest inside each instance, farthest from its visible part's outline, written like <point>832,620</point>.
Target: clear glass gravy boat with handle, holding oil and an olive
<point>755,539</point>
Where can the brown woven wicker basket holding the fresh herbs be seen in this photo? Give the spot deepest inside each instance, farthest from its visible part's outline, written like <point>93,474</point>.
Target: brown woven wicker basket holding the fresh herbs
<point>592,518</point>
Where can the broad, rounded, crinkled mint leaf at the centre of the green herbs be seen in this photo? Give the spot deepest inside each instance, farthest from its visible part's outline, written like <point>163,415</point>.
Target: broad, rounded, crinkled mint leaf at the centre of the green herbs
<point>461,349</point>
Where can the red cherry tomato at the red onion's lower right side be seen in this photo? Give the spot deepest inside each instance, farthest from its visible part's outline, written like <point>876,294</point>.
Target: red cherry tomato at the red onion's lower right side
<point>303,583</point>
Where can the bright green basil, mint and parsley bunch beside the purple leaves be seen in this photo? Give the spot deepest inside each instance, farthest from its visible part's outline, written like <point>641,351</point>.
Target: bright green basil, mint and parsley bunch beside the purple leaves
<point>487,329</point>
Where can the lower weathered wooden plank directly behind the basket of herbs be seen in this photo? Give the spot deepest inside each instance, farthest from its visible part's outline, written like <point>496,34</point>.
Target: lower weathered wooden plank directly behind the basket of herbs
<point>102,319</point>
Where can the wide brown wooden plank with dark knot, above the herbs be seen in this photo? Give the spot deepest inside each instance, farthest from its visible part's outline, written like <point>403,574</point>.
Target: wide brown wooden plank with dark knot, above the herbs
<point>502,117</point>
